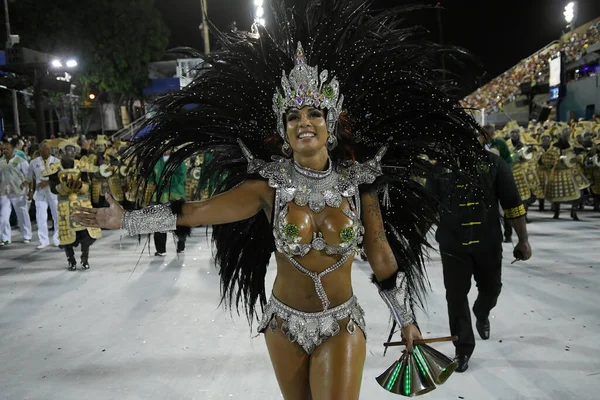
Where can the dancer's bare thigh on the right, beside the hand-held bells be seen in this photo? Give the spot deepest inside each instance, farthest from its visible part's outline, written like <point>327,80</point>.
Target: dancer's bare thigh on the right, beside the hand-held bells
<point>336,366</point>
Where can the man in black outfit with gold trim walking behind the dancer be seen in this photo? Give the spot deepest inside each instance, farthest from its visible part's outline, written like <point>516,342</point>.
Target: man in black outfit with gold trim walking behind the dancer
<point>470,242</point>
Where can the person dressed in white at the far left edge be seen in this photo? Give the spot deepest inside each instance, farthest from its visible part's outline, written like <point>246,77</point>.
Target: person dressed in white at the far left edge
<point>14,183</point>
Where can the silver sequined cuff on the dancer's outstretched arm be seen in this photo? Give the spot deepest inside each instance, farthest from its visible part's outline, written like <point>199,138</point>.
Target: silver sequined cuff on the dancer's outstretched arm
<point>158,218</point>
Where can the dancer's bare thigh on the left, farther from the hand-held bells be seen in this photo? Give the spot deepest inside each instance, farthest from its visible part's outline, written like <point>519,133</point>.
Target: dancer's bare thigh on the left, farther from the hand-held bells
<point>291,365</point>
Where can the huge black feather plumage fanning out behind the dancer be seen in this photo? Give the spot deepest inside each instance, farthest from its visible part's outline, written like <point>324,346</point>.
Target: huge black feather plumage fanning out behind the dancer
<point>394,94</point>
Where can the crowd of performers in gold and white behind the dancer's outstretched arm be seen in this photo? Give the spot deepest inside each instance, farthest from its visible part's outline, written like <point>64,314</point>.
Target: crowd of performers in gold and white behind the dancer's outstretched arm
<point>62,176</point>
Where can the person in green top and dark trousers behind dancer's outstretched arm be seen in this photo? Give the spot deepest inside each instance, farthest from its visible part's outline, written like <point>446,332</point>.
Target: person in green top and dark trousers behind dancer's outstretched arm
<point>172,189</point>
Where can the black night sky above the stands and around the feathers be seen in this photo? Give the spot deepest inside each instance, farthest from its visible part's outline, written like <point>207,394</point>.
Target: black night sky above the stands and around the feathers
<point>500,33</point>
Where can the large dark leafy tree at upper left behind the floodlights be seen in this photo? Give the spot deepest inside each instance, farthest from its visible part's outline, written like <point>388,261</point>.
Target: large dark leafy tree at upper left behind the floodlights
<point>113,41</point>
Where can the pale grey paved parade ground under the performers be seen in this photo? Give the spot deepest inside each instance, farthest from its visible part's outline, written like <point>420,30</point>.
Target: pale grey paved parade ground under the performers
<point>156,332</point>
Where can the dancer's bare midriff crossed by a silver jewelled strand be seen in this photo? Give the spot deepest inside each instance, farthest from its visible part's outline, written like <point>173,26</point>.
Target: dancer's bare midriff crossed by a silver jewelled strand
<point>297,290</point>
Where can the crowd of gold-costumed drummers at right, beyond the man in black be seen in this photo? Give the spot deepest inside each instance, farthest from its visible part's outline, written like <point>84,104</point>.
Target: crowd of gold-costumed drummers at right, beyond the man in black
<point>553,162</point>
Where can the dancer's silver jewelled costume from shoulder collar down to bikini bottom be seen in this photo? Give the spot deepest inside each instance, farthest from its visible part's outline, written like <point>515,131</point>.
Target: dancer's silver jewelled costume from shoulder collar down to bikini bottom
<point>317,190</point>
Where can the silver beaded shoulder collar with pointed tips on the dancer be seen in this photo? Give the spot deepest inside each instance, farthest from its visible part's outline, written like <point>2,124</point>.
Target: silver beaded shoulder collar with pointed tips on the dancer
<point>316,189</point>
